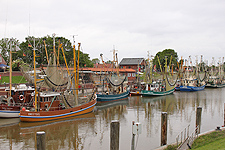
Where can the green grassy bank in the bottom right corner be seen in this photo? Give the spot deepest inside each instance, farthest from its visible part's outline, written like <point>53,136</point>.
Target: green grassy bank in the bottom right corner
<point>214,140</point>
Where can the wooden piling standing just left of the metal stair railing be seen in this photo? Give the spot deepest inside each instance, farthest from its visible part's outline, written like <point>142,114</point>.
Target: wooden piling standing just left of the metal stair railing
<point>164,128</point>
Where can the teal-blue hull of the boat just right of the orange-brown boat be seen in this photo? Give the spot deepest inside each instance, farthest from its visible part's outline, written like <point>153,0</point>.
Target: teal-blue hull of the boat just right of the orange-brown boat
<point>116,97</point>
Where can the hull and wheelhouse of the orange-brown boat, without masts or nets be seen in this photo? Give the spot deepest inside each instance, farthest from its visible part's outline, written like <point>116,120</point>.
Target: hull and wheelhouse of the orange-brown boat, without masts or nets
<point>52,110</point>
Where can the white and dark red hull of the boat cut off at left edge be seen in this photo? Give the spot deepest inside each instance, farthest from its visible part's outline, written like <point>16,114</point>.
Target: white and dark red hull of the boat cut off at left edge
<point>9,111</point>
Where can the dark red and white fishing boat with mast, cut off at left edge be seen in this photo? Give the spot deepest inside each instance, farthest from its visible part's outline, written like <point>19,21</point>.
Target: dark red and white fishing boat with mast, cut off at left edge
<point>18,96</point>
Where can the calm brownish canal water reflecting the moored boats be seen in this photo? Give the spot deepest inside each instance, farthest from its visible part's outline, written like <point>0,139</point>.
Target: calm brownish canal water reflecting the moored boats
<point>92,132</point>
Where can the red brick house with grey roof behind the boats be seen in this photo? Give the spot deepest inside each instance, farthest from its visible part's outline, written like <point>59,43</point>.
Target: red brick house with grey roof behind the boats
<point>133,63</point>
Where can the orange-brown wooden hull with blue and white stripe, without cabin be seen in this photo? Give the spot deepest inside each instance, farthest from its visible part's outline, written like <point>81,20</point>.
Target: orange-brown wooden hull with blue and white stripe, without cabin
<point>28,116</point>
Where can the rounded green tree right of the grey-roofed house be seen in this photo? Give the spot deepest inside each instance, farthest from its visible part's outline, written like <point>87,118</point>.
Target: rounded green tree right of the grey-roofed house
<point>162,55</point>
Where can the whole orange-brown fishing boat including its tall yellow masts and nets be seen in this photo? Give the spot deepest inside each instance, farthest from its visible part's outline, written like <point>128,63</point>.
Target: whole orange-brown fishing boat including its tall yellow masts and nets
<point>53,105</point>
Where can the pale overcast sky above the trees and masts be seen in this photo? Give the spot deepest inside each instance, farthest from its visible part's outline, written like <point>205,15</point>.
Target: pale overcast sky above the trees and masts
<point>133,27</point>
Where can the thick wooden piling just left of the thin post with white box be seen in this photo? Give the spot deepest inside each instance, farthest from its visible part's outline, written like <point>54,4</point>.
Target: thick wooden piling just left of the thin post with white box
<point>114,135</point>
